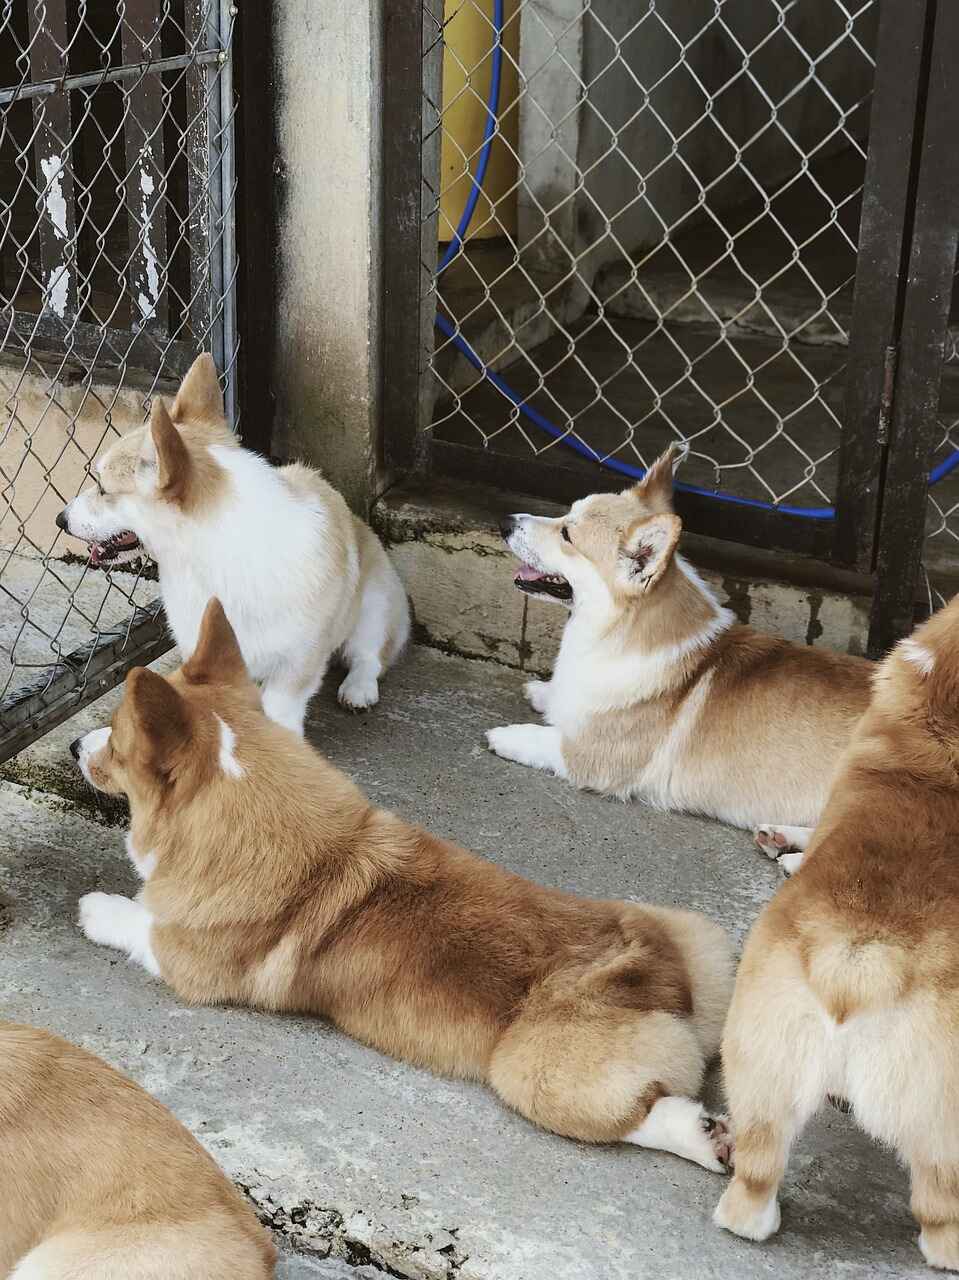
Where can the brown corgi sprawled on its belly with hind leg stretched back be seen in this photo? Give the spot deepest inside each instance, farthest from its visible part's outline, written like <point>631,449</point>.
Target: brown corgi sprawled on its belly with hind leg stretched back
<point>272,881</point>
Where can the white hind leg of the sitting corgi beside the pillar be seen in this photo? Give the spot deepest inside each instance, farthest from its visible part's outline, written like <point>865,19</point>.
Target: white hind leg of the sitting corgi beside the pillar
<point>382,627</point>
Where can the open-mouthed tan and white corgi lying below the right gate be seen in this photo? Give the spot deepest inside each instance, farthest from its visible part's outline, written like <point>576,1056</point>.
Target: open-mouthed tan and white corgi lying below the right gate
<point>657,693</point>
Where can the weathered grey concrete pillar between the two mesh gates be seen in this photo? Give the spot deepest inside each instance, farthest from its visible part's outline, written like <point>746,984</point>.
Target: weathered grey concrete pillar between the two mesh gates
<point>328,336</point>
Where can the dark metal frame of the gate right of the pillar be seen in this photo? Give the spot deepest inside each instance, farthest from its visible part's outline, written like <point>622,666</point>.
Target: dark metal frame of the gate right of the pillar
<point>903,287</point>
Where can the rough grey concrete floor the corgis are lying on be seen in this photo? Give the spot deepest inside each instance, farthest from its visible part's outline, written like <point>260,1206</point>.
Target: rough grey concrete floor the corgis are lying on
<point>373,1163</point>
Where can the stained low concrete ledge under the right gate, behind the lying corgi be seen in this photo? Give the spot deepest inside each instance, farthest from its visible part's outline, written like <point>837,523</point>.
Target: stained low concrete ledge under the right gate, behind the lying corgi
<point>446,545</point>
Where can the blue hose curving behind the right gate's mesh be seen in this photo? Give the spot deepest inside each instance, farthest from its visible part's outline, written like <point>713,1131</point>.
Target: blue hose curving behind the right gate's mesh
<point>533,415</point>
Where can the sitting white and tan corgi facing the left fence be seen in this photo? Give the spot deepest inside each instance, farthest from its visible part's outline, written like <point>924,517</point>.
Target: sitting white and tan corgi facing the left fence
<point>302,577</point>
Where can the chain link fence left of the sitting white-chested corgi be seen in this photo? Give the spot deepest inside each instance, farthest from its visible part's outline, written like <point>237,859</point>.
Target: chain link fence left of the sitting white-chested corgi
<point>117,268</point>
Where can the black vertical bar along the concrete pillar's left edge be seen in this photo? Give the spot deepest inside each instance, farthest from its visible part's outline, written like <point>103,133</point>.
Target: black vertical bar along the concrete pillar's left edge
<point>257,223</point>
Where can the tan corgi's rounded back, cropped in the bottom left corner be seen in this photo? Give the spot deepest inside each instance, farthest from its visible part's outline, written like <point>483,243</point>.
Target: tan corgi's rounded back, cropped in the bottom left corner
<point>102,1183</point>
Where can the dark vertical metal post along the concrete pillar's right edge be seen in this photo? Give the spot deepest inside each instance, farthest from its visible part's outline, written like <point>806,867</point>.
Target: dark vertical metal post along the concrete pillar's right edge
<point>403,171</point>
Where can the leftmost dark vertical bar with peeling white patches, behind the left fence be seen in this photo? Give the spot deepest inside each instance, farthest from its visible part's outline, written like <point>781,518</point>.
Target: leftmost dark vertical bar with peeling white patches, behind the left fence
<point>54,166</point>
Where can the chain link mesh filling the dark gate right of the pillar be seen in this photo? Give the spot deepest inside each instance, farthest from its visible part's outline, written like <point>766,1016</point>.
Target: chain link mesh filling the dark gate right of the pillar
<point>666,245</point>
